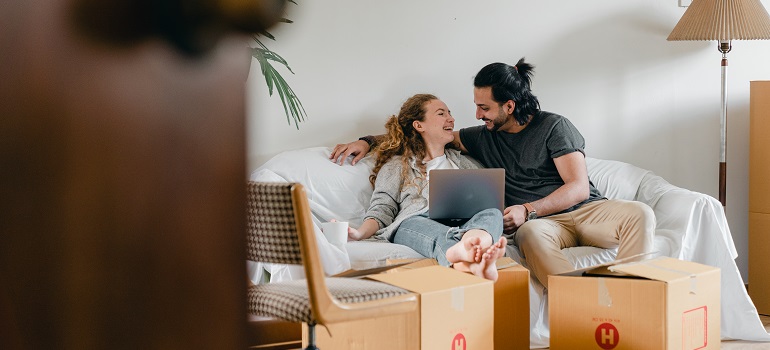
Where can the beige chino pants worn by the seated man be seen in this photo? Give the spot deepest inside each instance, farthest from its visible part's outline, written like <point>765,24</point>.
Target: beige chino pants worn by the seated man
<point>628,225</point>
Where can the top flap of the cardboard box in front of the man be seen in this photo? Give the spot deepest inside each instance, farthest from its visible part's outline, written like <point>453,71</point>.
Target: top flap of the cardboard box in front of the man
<point>663,269</point>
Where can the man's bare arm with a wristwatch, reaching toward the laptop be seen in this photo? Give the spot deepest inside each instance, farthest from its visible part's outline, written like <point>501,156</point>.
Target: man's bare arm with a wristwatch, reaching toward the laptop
<point>572,169</point>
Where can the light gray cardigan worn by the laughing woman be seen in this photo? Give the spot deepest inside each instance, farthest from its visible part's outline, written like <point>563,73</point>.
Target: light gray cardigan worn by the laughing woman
<point>394,200</point>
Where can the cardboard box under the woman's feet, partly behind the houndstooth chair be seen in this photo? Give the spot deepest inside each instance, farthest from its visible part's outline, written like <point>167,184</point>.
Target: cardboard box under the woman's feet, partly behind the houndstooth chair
<point>454,312</point>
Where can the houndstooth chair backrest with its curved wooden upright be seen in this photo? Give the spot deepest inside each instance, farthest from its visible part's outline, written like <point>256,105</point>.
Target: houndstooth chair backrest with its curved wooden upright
<point>280,230</point>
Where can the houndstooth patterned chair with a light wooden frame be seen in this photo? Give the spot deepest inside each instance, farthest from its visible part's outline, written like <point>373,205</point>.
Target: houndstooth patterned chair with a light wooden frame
<point>280,230</point>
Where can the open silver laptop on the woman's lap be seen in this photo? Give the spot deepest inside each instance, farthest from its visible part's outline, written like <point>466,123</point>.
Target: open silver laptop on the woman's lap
<point>458,194</point>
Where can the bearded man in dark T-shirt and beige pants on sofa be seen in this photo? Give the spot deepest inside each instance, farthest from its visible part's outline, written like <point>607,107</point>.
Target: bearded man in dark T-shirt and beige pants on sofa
<point>550,202</point>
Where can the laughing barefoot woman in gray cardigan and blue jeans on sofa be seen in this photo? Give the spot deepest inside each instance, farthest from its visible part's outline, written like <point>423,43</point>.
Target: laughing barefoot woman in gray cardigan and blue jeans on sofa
<point>417,141</point>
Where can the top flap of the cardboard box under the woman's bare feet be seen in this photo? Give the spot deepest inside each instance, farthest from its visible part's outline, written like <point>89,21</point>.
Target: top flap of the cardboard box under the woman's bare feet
<point>428,279</point>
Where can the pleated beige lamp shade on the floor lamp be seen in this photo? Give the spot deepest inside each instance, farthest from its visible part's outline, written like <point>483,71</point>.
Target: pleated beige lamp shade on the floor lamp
<point>723,20</point>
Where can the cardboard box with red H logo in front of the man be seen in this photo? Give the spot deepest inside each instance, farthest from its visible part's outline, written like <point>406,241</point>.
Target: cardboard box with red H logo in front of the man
<point>661,303</point>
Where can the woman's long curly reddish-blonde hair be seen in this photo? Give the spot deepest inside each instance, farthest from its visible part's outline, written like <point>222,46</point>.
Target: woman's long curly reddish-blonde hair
<point>401,138</point>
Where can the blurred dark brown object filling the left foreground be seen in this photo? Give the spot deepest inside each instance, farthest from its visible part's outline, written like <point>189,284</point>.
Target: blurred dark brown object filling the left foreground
<point>122,163</point>
